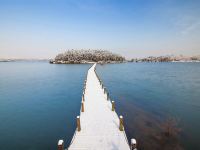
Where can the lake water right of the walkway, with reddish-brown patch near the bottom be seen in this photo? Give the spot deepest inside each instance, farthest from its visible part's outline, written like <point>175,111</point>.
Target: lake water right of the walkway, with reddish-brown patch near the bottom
<point>159,102</point>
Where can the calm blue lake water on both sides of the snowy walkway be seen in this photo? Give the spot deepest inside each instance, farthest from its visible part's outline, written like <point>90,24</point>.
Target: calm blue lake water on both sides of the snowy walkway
<point>40,101</point>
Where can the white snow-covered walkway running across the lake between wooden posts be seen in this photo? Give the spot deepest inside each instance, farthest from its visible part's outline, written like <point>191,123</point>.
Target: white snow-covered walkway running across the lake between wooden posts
<point>99,124</point>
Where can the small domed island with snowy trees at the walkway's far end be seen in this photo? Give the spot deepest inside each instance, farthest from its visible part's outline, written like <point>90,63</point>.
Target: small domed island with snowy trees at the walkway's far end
<point>87,56</point>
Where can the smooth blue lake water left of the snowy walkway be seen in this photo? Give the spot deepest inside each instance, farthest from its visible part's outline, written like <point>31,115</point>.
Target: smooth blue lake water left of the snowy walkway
<point>38,104</point>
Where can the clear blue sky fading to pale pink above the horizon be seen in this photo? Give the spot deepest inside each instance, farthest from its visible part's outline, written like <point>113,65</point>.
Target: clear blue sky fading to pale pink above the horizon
<point>133,28</point>
